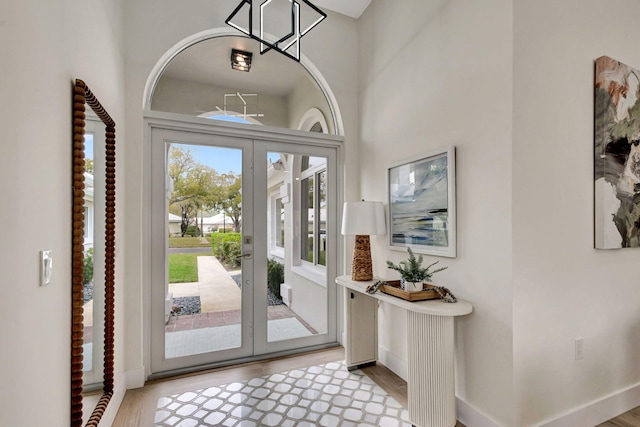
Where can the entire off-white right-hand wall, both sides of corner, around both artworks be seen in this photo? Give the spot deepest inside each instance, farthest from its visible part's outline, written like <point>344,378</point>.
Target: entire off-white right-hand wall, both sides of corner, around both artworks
<point>452,72</point>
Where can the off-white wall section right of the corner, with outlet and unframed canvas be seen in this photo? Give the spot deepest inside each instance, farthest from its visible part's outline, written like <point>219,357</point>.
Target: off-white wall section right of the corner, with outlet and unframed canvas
<point>563,288</point>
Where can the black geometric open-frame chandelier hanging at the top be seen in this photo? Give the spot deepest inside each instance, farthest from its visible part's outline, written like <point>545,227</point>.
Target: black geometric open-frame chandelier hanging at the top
<point>287,41</point>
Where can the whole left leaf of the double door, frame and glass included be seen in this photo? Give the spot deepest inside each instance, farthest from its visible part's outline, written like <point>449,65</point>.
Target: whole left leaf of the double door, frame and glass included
<point>202,294</point>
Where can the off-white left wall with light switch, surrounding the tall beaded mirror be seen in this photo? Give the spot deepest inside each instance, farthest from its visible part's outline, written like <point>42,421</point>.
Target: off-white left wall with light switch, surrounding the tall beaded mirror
<point>46,45</point>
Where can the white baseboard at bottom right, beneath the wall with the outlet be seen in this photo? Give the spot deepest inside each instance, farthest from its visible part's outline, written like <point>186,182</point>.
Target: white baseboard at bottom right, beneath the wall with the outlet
<point>598,411</point>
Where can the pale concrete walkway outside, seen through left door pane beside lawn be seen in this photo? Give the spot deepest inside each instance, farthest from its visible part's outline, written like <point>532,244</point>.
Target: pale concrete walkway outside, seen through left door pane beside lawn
<point>215,287</point>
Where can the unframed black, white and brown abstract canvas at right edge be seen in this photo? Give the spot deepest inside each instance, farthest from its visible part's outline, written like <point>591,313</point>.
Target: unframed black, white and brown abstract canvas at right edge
<point>617,155</point>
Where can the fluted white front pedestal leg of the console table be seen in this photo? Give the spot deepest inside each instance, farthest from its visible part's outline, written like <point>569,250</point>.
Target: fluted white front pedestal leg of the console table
<point>431,388</point>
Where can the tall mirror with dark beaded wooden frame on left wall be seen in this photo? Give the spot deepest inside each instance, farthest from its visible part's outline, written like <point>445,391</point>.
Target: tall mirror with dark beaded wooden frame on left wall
<point>93,255</point>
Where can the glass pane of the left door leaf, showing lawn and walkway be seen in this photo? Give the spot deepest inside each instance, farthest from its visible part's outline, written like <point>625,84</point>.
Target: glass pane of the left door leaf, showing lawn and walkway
<point>204,251</point>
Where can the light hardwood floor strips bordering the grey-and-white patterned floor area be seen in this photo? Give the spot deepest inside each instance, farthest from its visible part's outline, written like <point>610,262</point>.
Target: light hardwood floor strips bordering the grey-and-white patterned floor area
<point>139,405</point>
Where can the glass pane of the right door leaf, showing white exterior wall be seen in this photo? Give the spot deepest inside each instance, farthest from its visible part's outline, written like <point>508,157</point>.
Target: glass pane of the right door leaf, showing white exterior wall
<point>298,290</point>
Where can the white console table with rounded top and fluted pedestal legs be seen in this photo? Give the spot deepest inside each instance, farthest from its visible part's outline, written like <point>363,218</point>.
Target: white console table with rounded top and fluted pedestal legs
<point>430,342</point>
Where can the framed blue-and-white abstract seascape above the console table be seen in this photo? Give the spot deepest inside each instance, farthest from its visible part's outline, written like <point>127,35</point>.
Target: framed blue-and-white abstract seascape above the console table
<point>421,193</point>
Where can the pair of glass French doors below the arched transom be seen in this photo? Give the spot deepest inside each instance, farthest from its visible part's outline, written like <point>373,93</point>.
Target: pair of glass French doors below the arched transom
<point>262,213</point>
